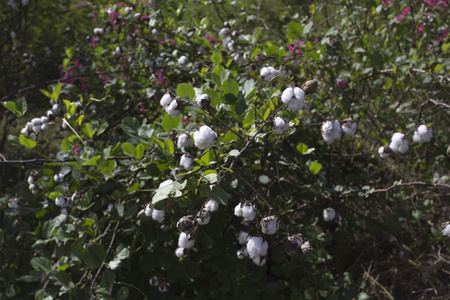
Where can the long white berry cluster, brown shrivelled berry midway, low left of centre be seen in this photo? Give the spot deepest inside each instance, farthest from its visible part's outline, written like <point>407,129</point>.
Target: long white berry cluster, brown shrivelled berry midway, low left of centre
<point>188,225</point>
